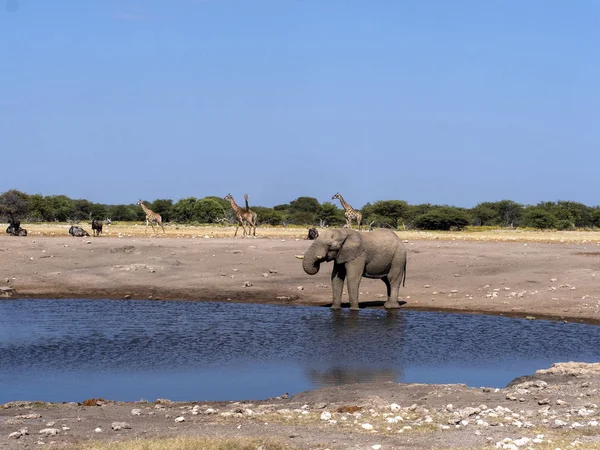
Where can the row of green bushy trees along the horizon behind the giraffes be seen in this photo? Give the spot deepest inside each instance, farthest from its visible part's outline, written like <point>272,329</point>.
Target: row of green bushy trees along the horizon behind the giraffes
<point>308,211</point>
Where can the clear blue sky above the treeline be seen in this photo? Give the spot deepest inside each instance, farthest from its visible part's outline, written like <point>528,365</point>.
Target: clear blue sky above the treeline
<point>430,101</point>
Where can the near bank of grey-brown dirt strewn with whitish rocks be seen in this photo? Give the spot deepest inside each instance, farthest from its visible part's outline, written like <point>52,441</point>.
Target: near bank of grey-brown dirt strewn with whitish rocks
<point>554,408</point>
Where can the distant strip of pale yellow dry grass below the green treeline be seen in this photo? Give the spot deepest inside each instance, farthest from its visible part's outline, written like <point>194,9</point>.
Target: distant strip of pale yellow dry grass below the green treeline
<point>138,229</point>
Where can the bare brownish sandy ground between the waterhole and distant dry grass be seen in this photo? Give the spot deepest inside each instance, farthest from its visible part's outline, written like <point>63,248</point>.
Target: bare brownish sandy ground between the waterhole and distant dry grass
<point>521,278</point>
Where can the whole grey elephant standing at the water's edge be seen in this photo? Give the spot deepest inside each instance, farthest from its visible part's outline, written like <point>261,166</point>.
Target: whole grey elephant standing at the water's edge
<point>378,254</point>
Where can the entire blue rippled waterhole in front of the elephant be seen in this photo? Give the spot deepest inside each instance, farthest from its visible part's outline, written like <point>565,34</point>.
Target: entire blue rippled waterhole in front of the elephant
<point>69,350</point>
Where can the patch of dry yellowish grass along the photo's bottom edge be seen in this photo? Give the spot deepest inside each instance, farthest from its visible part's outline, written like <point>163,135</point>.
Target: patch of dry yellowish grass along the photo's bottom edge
<point>187,443</point>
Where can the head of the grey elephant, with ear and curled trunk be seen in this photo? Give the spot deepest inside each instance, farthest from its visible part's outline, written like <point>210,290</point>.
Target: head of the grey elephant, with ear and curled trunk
<point>341,245</point>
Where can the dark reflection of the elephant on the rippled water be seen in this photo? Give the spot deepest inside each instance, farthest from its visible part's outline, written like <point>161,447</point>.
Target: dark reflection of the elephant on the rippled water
<point>359,349</point>
